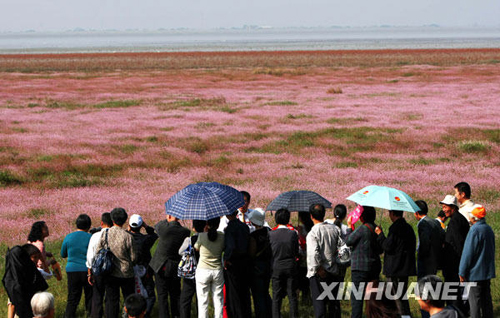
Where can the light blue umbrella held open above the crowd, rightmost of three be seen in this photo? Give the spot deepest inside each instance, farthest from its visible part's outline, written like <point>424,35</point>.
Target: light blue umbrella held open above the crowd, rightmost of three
<point>384,198</point>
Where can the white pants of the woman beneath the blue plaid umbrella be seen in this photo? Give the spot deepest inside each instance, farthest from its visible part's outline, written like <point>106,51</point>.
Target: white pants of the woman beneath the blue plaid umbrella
<point>209,280</point>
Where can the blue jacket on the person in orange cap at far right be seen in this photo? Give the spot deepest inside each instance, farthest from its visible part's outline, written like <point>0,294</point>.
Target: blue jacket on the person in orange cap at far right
<point>478,257</point>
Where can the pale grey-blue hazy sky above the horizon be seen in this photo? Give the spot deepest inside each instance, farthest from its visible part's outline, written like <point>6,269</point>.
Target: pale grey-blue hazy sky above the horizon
<point>61,15</point>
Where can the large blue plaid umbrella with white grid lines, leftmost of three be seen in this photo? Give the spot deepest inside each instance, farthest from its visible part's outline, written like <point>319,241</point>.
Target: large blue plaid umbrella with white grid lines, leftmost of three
<point>204,201</point>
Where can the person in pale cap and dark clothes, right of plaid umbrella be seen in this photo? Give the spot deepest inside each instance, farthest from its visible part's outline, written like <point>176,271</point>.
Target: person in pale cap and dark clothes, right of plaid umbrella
<point>261,254</point>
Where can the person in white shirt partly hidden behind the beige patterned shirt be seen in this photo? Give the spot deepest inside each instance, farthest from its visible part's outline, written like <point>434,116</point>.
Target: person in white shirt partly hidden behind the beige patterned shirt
<point>97,281</point>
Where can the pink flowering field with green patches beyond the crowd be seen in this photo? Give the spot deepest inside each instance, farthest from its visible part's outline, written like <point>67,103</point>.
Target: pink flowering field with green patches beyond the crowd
<point>77,141</point>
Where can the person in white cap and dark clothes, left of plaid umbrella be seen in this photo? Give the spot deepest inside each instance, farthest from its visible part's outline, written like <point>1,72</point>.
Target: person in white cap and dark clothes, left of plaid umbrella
<point>143,244</point>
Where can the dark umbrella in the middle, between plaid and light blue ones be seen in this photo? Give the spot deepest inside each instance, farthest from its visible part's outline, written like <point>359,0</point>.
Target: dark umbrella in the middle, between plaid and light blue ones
<point>296,201</point>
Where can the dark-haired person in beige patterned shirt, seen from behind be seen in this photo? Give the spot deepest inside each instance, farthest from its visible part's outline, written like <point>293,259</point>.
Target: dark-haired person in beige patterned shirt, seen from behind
<point>121,244</point>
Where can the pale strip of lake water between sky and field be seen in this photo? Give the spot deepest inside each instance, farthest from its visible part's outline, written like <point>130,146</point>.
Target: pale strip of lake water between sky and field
<point>251,40</point>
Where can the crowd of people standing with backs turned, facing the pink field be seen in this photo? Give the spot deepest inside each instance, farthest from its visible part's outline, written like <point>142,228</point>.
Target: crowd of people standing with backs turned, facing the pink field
<point>239,256</point>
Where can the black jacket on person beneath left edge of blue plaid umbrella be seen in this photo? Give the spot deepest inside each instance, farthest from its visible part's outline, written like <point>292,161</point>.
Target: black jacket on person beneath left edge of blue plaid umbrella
<point>171,236</point>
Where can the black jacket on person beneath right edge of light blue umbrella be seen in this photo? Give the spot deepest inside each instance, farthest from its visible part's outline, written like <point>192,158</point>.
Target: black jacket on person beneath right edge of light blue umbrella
<point>399,250</point>
